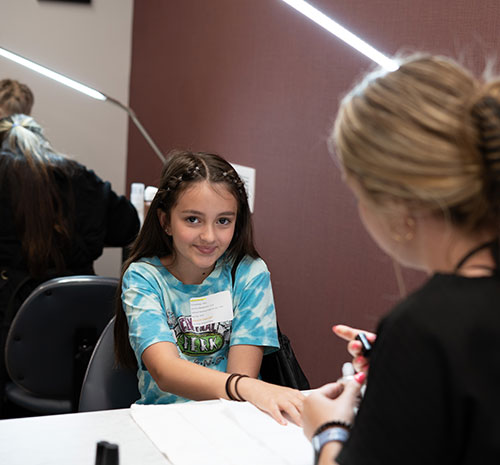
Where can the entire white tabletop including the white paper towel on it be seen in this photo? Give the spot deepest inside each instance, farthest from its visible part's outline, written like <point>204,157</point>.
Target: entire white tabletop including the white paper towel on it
<point>210,433</point>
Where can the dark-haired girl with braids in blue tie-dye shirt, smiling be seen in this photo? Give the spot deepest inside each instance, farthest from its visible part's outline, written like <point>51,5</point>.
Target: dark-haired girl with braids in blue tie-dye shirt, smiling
<point>197,311</point>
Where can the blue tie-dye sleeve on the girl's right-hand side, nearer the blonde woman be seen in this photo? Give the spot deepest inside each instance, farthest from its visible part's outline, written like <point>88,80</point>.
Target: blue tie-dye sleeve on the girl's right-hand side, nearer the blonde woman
<point>254,321</point>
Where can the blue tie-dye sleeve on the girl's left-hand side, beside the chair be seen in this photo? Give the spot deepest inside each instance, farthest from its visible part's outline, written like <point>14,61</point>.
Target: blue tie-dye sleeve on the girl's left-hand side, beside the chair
<point>143,306</point>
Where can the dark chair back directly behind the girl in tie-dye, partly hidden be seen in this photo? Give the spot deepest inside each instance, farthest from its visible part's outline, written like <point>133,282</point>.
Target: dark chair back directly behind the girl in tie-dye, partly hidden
<point>107,386</point>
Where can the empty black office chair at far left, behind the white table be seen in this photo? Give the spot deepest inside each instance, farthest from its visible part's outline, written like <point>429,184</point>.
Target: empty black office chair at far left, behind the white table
<point>51,339</point>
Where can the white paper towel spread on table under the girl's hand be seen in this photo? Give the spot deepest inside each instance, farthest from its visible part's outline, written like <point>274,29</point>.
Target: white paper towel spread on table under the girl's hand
<point>224,432</point>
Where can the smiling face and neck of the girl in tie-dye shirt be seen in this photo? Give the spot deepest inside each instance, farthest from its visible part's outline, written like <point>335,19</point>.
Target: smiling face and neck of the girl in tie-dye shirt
<point>201,226</point>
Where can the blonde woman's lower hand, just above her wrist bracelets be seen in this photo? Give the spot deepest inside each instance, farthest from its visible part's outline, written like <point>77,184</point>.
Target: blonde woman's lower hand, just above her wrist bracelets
<point>332,402</point>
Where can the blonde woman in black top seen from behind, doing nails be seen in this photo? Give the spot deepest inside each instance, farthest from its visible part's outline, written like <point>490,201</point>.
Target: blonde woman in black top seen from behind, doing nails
<point>420,149</point>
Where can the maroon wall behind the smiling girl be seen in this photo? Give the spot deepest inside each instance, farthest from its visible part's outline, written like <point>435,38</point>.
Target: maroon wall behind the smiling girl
<point>258,83</point>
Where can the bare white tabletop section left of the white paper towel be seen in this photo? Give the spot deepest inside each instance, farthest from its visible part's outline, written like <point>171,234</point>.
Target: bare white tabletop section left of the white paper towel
<point>71,439</point>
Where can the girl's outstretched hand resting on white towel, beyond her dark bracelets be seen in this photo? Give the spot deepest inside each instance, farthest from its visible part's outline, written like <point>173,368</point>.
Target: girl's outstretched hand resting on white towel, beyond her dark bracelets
<point>275,400</point>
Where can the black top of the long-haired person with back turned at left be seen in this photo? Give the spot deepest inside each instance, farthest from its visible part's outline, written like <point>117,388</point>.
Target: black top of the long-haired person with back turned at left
<point>102,219</point>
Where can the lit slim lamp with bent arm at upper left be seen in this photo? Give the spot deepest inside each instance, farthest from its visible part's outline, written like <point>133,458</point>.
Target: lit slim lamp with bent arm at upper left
<point>84,90</point>
